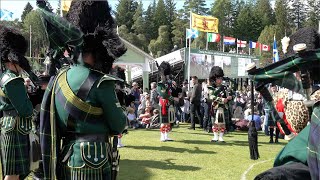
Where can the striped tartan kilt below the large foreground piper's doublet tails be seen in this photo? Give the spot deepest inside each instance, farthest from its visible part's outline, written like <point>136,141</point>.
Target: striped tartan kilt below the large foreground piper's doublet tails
<point>85,173</point>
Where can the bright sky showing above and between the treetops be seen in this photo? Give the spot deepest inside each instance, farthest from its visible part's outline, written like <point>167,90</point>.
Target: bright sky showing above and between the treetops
<point>17,6</point>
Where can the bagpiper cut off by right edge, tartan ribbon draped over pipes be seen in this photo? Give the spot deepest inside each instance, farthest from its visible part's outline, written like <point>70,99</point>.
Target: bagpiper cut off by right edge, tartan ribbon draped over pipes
<point>299,159</point>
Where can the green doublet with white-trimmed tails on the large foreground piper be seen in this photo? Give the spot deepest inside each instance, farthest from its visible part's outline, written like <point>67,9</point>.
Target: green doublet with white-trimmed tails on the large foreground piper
<point>103,115</point>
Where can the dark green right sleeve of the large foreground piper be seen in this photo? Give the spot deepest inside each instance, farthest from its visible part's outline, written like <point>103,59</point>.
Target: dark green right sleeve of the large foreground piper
<point>112,111</point>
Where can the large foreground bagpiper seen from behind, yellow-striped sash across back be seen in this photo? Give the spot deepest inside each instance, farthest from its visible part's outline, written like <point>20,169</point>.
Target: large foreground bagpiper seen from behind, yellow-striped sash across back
<point>80,109</point>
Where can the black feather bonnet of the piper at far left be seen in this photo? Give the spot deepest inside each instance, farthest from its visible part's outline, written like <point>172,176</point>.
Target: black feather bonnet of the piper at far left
<point>13,46</point>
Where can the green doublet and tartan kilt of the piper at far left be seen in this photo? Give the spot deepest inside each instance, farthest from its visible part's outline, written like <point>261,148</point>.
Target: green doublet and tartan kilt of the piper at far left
<point>15,124</point>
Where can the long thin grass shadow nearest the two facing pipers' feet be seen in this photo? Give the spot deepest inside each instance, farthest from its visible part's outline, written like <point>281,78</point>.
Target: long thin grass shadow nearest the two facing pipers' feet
<point>196,150</point>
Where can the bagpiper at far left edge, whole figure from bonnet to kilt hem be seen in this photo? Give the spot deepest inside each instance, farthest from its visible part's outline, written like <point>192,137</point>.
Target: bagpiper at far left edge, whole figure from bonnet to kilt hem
<point>15,105</point>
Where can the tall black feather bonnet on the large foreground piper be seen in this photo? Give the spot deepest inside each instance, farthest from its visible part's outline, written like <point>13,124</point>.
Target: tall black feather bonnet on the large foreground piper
<point>95,21</point>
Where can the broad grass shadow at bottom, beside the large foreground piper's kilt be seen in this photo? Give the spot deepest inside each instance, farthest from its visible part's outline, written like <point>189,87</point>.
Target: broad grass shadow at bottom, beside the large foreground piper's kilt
<point>138,169</point>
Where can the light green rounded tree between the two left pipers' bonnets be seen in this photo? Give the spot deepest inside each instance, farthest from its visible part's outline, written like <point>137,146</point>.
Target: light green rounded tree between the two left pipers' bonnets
<point>39,39</point>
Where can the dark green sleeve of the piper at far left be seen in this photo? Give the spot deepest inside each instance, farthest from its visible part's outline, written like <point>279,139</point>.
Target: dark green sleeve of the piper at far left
<point>17,94</point>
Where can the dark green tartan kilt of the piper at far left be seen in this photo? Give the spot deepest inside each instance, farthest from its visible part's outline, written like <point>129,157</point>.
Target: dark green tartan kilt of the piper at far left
<point>15,158</point>
